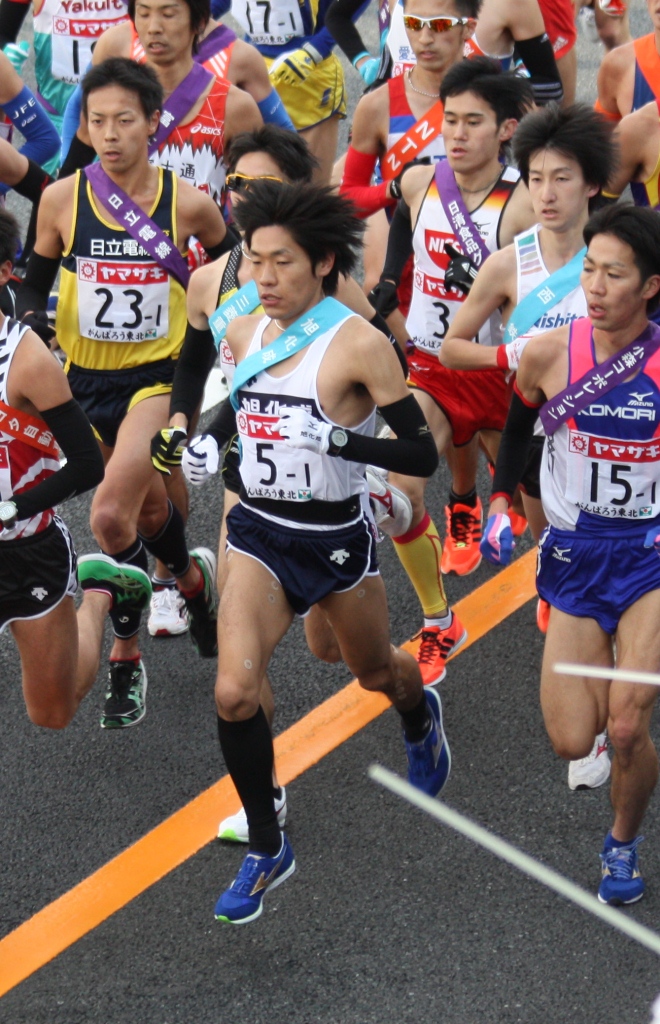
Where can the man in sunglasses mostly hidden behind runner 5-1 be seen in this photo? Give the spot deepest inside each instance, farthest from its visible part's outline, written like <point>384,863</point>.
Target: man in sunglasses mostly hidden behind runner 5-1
<point>271,154</point>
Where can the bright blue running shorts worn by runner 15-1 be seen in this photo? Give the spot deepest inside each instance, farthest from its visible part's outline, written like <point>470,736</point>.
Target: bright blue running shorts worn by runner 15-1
<point>595,577</point>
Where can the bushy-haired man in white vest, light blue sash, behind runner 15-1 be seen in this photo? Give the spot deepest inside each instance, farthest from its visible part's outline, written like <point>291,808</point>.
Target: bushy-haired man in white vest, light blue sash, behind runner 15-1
<point>565,158</point>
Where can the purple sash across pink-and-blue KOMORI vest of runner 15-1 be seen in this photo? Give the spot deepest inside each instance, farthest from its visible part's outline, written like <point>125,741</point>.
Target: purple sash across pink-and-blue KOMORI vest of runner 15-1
<point>601,379</point>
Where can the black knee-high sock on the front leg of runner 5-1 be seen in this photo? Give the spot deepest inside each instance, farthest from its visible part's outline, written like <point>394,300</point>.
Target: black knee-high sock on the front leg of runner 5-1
<point>248,751</point>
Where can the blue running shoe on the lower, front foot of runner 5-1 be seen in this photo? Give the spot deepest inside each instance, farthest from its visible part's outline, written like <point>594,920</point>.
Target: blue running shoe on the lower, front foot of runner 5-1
<point>244,900</point>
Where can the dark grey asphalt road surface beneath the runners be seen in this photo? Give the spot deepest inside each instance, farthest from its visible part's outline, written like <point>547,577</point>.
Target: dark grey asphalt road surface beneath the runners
<point>389,918</point>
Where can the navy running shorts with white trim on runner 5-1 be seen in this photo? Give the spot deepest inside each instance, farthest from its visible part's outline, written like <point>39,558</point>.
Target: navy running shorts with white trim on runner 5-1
<point>310,565</point>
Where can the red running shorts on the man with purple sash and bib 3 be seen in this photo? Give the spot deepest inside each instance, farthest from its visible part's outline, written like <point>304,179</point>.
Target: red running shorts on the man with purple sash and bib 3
<point>472,400</point>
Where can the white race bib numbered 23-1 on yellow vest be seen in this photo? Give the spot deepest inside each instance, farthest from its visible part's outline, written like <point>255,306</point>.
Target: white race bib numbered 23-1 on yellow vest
<point>122,302</point>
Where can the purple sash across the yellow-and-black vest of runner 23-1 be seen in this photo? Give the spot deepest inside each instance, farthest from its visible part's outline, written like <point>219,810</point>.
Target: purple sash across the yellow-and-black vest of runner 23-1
<point>139,225</point>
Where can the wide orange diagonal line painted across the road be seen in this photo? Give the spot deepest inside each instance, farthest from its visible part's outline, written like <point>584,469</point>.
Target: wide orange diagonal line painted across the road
<point>81,910</point>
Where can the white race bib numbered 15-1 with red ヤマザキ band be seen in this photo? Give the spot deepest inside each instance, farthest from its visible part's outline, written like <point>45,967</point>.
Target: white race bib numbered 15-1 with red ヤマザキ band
<point>614,479</point>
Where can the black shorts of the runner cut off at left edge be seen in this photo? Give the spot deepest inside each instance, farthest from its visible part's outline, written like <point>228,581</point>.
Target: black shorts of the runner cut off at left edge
<point>36,574</point>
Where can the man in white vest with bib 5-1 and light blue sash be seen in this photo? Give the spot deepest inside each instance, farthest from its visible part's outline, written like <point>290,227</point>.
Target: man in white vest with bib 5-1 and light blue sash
<point>299,536</point>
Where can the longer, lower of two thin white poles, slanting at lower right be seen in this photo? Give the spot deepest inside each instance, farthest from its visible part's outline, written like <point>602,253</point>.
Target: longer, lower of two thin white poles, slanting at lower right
<point>529,866</point>
